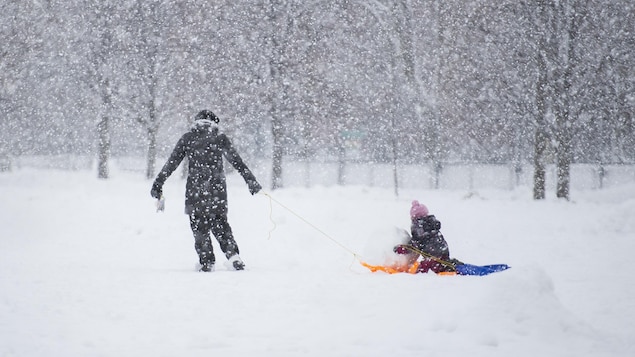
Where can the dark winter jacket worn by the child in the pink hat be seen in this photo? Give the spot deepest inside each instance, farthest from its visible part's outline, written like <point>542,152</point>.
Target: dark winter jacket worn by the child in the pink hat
<point>427,237</point>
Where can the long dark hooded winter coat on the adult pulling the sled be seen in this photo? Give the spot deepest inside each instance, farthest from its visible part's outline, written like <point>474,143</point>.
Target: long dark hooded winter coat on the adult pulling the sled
<point>205,147</point>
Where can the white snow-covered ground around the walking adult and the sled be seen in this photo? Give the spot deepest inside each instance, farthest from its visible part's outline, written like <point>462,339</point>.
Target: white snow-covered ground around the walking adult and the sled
<point>88,268</point>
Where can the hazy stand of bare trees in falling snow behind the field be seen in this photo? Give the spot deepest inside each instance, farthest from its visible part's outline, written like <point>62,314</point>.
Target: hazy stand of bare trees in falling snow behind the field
<point>412,77</point>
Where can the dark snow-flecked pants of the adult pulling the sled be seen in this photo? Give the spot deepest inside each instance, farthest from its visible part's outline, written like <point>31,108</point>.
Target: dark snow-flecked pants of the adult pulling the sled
<point>203,221</point>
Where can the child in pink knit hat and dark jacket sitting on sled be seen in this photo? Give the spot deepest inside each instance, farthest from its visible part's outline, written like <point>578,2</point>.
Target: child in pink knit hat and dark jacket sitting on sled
<point>425,240</point>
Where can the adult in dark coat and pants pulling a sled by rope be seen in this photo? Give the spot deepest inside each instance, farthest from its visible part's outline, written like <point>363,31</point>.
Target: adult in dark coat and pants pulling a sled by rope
<point>206,190</point>
